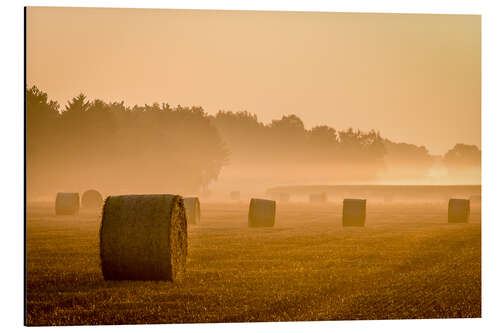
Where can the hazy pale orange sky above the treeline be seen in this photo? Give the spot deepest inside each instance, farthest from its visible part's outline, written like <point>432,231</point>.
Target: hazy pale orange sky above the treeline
<point>416,78</point>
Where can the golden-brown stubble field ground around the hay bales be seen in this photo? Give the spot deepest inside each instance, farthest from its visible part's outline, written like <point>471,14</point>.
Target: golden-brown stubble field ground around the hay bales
<point>408,262</point>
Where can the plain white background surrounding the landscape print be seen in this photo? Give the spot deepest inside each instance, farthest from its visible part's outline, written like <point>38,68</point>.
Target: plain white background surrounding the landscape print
<point>13,167</point>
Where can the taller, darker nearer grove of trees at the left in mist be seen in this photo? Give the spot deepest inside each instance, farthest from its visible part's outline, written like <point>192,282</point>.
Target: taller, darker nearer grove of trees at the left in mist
<point>111,146</point>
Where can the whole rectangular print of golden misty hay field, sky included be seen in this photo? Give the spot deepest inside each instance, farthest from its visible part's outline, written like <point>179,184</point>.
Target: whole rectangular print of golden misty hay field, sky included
<point>251,166</point>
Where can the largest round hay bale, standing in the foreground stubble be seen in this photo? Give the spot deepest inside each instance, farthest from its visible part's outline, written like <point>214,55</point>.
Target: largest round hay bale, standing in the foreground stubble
<point>143,237</point>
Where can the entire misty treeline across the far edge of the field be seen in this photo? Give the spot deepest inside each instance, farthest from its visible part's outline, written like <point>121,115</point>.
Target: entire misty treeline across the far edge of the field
<point>158,148</point>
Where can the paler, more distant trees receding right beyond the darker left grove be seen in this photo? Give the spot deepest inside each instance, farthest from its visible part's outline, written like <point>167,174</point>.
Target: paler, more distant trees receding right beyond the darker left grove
<point>357,156</point>
